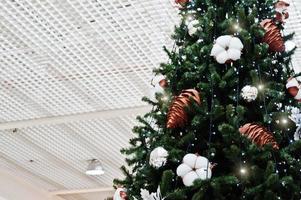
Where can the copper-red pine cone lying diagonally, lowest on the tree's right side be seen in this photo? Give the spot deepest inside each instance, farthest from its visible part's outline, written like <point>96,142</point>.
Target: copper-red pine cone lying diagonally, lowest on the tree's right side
<point>258,134</point>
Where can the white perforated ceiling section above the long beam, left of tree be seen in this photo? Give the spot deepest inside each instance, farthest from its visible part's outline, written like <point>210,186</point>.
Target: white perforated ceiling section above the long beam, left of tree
<point>66,57</point>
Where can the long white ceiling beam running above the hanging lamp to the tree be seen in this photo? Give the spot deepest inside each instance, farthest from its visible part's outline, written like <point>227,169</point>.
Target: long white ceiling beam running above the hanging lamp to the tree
<point>107,114</point>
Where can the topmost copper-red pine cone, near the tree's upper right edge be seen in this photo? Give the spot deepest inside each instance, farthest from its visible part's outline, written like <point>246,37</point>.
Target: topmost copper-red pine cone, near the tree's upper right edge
<point>272,36</point>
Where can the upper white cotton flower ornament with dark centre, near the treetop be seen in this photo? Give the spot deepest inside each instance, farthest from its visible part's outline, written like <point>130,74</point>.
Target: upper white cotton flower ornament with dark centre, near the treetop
<point>226,48</point>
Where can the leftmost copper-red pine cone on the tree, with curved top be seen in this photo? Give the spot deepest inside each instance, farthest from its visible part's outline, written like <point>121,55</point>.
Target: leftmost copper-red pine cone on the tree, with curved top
<point>177,116</point>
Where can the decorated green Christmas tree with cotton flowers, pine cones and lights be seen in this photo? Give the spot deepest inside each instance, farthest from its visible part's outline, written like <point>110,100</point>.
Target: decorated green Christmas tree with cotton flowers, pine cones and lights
<point>225,125</point>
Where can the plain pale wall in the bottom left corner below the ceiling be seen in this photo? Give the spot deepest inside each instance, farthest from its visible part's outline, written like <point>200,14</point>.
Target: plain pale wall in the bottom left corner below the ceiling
<point>13,188</point>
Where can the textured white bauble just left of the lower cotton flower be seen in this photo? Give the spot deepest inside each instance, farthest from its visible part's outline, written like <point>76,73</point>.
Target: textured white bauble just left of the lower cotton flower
<point>158,157</point>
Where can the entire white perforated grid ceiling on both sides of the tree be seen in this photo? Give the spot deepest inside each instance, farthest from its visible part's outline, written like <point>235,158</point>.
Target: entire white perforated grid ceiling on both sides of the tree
<point>61,58</point>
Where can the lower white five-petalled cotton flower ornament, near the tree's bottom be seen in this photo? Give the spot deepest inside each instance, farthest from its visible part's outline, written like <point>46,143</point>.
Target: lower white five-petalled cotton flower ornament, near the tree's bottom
<point>194,167</point>
